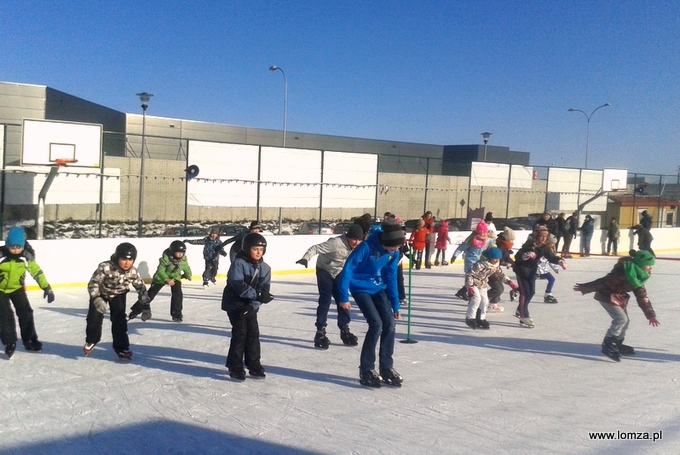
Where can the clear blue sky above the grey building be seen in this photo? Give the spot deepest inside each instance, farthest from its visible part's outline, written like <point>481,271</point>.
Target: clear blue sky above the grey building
<point>436,72</point>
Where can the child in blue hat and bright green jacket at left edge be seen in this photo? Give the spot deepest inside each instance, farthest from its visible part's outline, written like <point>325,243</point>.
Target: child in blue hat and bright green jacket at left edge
<point>15,261</point>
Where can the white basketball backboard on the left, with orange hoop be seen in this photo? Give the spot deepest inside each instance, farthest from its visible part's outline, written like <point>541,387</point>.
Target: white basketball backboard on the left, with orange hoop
<point>46,141</point>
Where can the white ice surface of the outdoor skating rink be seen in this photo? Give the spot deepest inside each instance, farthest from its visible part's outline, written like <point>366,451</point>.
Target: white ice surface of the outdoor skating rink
<point>509,390</point>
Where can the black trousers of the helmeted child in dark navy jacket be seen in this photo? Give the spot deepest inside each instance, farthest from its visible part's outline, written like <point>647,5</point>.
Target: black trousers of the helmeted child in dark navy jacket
<point>245,338</point>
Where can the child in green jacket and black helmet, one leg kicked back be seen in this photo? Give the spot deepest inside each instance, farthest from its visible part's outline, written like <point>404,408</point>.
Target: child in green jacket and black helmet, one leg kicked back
<point>173,266</point>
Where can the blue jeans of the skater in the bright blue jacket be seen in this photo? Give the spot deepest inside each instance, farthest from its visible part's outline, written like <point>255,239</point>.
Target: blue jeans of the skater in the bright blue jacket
<point>378,312</point>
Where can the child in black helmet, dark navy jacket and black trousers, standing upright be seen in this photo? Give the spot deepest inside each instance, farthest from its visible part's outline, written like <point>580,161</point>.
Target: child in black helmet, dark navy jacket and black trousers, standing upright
<point>248,283</point>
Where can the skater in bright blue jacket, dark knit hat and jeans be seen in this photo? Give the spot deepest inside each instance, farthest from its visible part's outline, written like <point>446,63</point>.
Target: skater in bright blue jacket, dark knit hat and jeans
<point>370,275</point>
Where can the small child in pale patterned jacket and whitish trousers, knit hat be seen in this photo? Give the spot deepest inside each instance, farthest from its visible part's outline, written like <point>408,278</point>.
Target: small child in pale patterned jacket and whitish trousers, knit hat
<point>476,281</point>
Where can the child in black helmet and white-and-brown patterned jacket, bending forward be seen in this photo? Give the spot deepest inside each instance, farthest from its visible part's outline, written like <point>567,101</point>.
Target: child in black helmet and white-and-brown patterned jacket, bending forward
<point>108,288</point>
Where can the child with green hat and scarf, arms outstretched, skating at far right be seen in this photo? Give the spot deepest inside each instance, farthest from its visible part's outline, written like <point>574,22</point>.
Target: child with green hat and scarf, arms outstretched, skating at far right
<point>628,275</point>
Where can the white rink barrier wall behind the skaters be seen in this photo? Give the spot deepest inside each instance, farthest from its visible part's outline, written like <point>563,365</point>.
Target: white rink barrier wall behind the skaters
<point>71,262</point>
